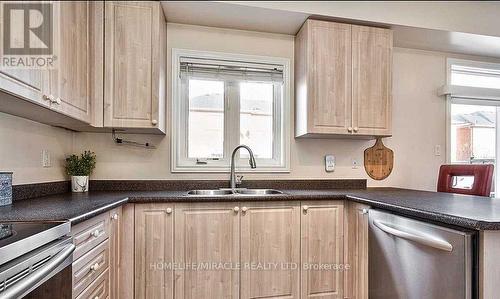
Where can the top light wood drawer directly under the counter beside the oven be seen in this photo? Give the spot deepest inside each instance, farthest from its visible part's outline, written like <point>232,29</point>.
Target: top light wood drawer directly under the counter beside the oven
<point>89,234</point>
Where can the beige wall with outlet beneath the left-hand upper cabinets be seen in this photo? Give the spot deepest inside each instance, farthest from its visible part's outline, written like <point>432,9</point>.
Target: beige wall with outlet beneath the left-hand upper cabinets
<point>21,145</point>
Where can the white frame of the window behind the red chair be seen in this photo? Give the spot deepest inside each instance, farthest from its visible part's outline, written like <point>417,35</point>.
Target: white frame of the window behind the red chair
<point>467,95</point>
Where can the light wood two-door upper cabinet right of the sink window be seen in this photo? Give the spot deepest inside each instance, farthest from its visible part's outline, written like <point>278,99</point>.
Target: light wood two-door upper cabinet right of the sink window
<point>342,80</point>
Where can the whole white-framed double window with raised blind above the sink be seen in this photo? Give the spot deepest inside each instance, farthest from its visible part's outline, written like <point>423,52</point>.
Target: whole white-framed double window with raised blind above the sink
<point>221,100</point>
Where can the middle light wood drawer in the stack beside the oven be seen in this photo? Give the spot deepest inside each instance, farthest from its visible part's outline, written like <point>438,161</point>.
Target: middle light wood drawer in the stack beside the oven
<point>87,268</point>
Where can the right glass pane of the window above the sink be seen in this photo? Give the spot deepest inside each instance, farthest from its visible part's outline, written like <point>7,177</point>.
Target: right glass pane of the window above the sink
<point>256,118</point>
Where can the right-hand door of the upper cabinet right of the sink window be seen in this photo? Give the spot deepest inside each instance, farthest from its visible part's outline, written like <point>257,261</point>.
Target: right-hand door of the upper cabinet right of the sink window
<point>371,80</point>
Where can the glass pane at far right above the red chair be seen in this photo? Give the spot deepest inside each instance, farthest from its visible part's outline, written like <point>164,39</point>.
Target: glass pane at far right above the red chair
<point>473,134</point>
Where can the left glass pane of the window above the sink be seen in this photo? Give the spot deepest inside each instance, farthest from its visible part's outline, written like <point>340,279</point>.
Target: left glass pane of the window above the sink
<point>206,119</point>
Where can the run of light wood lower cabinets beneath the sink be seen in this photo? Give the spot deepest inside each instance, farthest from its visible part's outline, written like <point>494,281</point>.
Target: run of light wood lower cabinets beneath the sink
<point>246,250</point>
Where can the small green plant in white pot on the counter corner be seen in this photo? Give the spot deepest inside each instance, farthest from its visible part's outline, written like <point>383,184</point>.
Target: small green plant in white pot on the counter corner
<point>80,168</point>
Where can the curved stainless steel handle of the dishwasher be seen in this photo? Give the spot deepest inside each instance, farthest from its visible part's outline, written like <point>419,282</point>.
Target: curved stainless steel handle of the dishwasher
<point>424,239</point>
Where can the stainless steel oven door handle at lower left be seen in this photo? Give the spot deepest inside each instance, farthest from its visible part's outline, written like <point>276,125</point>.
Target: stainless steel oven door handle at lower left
<point>32,279</point>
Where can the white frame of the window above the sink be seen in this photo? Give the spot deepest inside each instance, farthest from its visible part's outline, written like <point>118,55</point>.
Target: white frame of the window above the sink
<point>179,160</point>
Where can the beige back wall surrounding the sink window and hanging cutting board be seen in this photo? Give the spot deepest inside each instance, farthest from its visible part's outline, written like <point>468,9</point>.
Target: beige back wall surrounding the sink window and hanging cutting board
<point>418,120</point>
